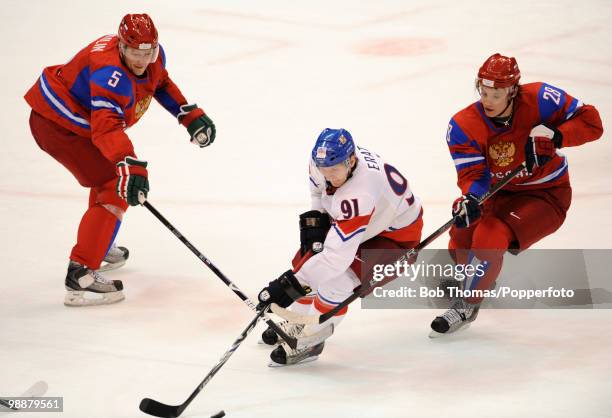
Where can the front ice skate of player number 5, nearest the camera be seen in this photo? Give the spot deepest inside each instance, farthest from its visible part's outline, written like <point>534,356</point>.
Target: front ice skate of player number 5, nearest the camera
<point>85,287</point>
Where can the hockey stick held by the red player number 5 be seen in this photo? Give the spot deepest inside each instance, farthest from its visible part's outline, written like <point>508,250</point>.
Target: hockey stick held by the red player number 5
<point>291,341</point>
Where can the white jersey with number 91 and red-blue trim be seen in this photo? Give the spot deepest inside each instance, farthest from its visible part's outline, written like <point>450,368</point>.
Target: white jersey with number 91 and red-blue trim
<point>375,200</point>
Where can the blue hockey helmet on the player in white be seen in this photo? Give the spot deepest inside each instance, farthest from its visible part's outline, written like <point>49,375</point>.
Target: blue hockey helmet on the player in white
<point>333,146</point>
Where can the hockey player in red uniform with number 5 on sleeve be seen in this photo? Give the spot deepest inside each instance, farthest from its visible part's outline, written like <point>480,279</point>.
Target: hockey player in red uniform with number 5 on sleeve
<point>80,112</point>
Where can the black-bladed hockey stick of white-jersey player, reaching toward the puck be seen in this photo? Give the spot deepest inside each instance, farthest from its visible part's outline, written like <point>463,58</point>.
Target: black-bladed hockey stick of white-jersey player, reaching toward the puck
<point>158,409</point>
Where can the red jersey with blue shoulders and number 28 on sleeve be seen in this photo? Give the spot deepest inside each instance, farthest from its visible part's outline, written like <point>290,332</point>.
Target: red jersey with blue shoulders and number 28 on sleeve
<point>484,152</point>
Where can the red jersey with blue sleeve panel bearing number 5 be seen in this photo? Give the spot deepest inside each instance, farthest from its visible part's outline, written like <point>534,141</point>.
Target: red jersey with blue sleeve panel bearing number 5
<point>96,96</point>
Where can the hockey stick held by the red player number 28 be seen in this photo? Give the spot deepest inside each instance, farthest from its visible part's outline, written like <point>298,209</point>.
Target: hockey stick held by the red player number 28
<point>359,291</point>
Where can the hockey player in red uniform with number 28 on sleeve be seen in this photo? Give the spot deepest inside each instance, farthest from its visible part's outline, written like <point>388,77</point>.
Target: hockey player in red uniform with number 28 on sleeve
<point>512,123</point>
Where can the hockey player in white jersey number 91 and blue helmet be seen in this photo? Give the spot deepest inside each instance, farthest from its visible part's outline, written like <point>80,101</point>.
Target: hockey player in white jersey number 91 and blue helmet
<point>359,202</point>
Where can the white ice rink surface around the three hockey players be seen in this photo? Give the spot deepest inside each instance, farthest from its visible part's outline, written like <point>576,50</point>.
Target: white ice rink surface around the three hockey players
<point>272,75</point>
